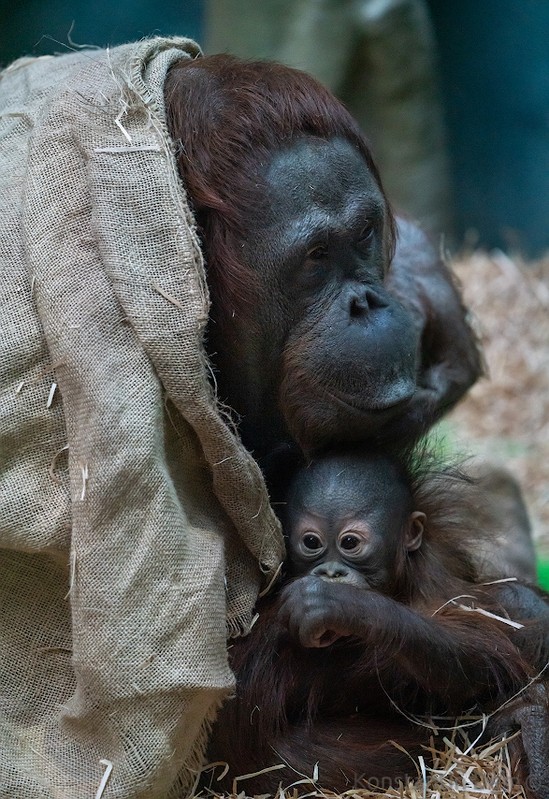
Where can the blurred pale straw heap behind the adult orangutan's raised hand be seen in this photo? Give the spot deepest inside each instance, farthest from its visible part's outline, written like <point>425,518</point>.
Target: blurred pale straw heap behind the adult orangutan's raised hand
<point>506,415</point>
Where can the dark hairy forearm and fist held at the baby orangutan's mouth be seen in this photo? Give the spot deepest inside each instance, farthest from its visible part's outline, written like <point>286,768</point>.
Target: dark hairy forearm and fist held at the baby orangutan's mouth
<point>455,654</point>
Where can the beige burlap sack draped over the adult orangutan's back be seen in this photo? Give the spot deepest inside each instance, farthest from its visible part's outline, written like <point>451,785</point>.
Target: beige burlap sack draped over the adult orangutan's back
<point>134,526</point>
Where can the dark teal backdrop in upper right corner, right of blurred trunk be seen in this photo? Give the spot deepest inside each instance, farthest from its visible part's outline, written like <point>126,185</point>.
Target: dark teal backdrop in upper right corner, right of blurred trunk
<point>494,66</point>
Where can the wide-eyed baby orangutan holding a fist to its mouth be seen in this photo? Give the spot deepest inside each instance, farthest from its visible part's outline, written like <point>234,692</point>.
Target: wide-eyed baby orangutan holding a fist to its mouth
<point>381,619</point>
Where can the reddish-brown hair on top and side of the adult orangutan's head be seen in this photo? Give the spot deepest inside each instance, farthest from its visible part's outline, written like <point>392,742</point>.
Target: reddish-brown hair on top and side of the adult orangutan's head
<point>242,113</point>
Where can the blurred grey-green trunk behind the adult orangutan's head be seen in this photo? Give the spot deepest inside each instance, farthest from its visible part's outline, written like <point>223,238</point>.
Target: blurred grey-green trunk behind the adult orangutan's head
<point>379,57</point>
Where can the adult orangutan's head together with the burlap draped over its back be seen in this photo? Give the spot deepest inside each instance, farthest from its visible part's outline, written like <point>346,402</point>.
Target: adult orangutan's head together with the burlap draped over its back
<point>135,527</point>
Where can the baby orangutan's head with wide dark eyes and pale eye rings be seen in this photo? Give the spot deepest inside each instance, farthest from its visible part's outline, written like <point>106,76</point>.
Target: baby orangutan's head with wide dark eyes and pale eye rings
<point>350,519</point>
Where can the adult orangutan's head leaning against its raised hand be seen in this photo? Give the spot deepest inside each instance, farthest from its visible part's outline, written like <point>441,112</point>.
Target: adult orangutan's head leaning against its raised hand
<point>314,335</point>
